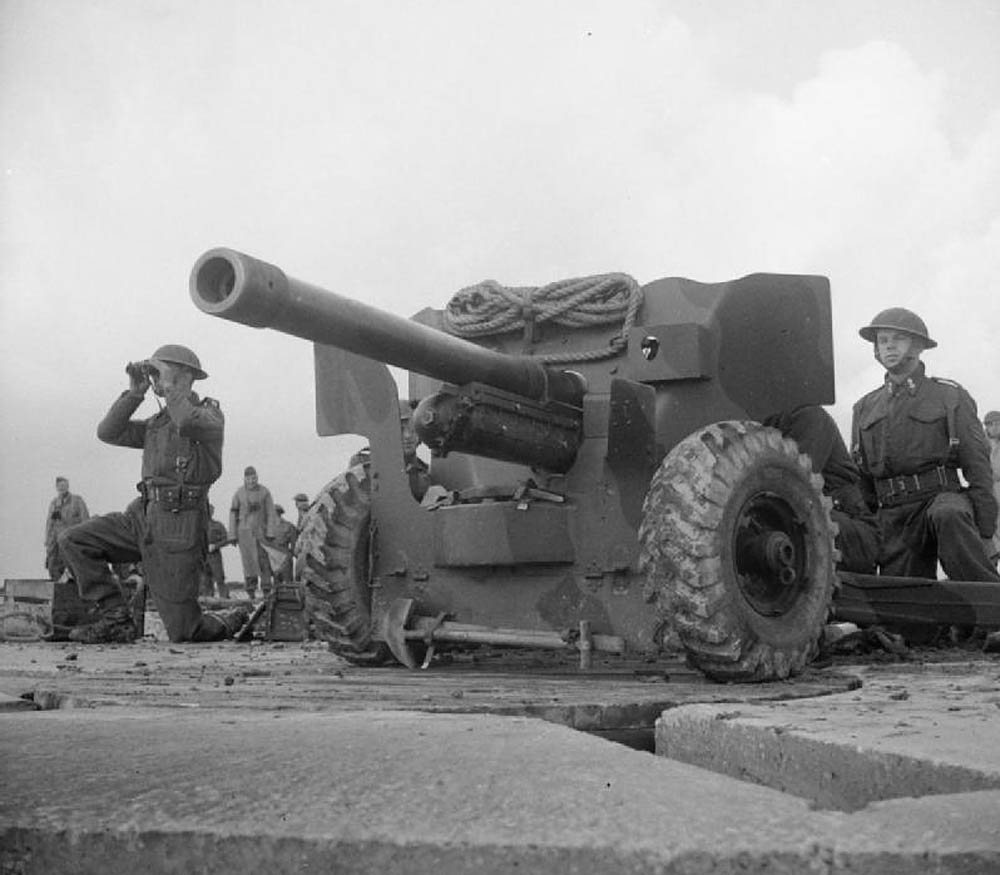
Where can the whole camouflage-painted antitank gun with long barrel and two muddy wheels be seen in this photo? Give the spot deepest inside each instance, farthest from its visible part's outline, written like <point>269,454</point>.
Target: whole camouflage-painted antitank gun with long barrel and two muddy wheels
<point>607,487</point>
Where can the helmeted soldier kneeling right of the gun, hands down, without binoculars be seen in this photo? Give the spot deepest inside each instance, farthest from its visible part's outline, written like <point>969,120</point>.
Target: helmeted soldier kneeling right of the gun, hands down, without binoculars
<point>911,436</point>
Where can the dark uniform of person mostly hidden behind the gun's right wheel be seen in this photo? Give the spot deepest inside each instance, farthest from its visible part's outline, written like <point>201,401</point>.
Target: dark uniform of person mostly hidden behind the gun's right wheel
<point>817,435</point>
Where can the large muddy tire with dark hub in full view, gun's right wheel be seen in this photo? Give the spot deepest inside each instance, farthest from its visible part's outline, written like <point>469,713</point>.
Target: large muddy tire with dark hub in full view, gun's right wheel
<point>691,518</point>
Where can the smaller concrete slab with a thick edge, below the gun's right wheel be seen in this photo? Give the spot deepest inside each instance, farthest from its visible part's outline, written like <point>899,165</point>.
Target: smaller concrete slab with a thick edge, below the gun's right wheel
<point>908,731</point>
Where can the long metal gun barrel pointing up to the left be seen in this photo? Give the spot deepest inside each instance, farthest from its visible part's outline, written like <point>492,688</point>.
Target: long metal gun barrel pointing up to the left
<point>240,288</point>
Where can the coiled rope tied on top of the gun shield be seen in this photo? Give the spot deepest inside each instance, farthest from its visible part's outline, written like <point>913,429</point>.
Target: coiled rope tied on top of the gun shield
<point>583,302</point>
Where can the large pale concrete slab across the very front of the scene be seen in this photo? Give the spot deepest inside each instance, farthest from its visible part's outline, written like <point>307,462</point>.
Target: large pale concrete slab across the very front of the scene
<point>156,790</point>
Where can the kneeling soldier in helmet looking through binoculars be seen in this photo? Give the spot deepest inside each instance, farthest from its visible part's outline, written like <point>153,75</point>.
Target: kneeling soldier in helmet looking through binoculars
<point>166,526</point>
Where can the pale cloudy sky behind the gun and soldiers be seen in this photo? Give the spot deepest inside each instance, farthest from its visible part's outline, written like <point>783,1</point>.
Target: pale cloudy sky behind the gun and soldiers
<point>395,152</point>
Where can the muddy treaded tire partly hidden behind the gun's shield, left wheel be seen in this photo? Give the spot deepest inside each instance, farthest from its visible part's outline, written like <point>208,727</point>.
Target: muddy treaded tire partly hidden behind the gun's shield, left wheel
<point>333,561</point>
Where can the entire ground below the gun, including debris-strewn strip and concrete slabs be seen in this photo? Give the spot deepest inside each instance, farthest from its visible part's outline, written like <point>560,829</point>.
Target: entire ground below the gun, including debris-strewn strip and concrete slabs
<point>899,774</point>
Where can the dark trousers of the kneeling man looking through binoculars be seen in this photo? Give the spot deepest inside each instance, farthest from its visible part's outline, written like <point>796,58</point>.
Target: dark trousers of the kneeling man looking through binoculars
<point>171,544</point>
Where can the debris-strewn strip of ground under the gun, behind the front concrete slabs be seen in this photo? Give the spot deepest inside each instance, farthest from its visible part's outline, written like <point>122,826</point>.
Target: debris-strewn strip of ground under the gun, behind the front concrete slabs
<point>616,694</point>
